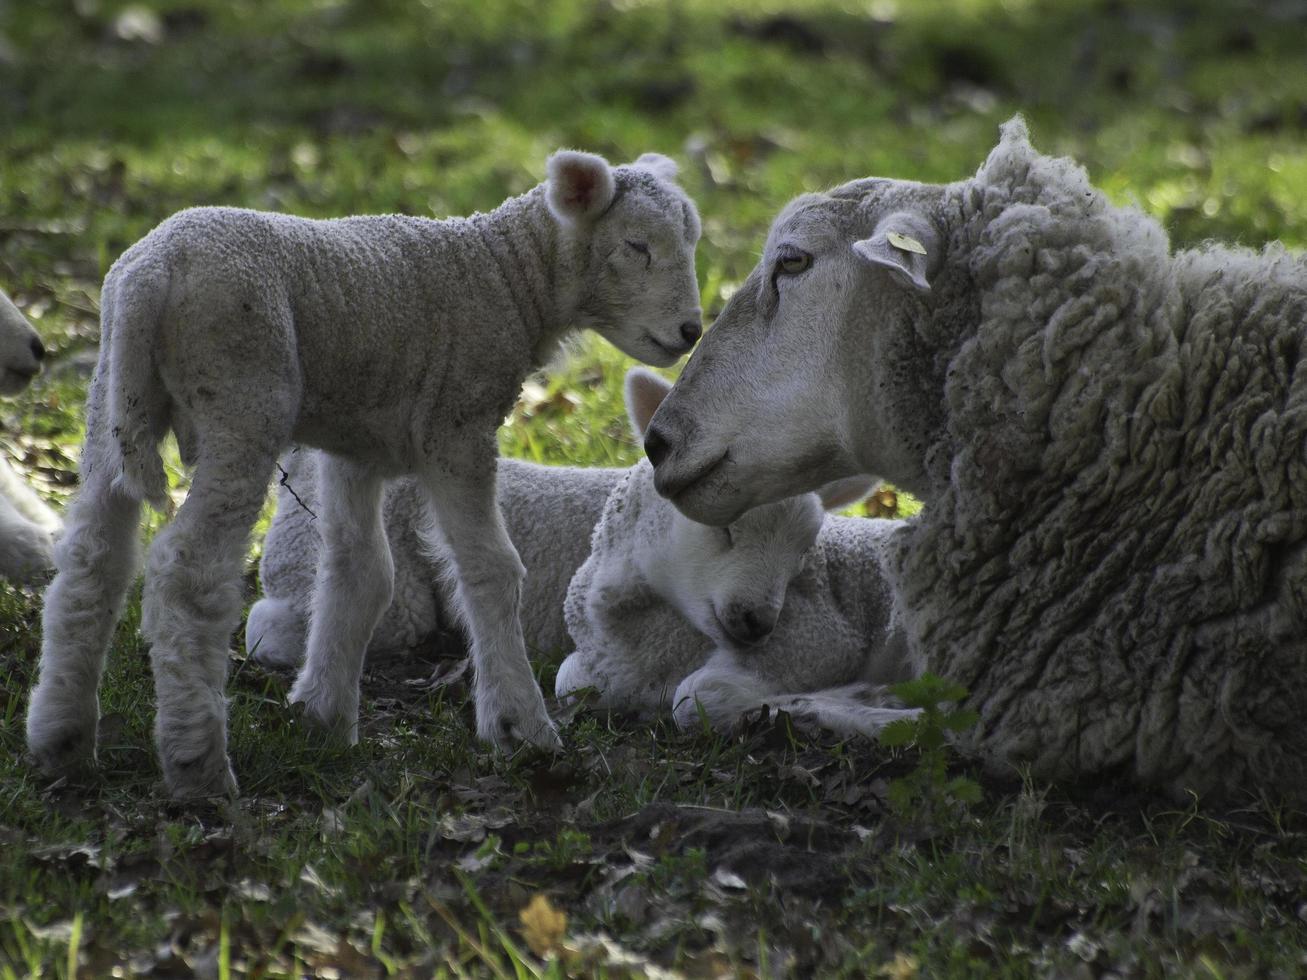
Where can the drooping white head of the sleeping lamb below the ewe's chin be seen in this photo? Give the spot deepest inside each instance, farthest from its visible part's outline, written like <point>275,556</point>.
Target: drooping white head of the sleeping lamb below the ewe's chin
<point>729,582</point>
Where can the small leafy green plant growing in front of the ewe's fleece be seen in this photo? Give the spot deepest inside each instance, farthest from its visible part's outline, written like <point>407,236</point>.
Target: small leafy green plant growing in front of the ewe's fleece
<point>929,791</point>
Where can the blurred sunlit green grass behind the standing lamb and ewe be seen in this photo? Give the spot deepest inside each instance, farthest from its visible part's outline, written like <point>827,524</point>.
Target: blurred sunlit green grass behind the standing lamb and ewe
<point>117,114</point>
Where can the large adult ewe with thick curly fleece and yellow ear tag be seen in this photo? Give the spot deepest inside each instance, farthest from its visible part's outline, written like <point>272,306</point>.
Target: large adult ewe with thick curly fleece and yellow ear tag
<point>1109,438</point>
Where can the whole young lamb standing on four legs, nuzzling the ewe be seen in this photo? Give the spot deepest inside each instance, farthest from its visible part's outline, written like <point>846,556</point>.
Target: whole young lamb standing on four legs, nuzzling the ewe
<point>395,344</point>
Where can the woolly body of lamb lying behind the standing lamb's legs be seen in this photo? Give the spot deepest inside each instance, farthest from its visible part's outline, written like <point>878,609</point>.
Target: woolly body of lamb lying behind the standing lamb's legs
<point>550,514</point>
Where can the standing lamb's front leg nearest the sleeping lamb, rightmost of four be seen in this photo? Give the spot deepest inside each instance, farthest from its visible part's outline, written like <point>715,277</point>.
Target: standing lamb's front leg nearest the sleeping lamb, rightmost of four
<point>488,598</point>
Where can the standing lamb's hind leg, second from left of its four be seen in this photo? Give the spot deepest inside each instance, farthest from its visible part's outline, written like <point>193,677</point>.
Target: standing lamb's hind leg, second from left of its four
<point>190,610</point>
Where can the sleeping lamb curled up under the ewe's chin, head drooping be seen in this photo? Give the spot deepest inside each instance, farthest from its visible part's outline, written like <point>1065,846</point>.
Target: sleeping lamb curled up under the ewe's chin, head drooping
<point>781,608</point>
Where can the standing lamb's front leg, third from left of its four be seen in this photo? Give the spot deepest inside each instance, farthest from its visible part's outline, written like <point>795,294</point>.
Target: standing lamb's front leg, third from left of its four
<point>352,591</point>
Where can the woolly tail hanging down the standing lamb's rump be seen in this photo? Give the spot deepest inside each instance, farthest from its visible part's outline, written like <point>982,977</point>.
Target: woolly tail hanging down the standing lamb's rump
<point>131,309</point>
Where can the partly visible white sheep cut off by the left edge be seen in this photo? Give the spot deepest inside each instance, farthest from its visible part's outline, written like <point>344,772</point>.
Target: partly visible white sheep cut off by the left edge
<point>28,526</point>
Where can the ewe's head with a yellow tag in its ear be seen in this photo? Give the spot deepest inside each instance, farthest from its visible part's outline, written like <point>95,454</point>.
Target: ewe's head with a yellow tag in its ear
<point>821,365</point>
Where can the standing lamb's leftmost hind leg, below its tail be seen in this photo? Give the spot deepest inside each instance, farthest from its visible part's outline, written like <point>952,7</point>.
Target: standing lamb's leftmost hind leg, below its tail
<point>95,561</point>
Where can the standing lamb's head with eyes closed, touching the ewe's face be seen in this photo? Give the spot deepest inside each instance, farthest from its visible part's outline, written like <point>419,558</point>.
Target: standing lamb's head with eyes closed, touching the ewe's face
<point>638,231</point>
